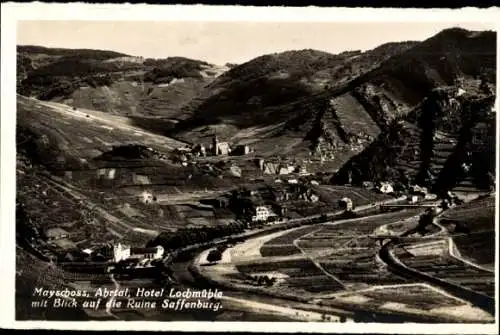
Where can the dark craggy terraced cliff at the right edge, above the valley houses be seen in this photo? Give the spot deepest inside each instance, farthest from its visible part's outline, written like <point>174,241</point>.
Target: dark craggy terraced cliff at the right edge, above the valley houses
<point>434,146</point>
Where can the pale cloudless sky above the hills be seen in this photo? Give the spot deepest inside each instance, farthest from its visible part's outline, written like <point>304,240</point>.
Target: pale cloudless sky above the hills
<point>222,42</point>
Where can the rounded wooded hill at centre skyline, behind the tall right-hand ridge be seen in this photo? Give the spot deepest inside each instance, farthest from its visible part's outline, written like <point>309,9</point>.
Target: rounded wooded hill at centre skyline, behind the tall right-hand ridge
<point>281,78</point>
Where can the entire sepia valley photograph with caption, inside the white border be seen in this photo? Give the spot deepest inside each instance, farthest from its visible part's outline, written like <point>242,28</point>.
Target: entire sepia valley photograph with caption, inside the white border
<point>303,171</point>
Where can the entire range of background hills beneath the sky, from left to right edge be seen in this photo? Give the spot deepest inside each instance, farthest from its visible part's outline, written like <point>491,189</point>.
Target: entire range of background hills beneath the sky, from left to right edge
<point>302,102</point>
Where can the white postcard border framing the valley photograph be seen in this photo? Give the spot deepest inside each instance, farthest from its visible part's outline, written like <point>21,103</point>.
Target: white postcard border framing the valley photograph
<point>13,12</point>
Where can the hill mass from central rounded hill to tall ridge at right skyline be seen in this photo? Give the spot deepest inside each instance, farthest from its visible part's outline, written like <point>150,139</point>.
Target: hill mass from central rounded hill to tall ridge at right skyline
<point>309,101</point>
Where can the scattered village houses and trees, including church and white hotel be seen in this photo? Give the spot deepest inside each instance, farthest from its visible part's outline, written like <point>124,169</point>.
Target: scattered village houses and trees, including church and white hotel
<point>283,193</point>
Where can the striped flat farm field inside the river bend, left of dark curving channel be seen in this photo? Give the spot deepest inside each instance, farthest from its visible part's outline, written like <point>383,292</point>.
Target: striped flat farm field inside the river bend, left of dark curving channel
<point>317,260</point>
